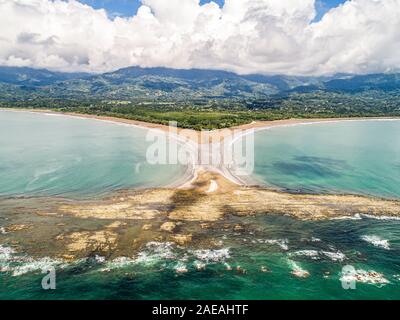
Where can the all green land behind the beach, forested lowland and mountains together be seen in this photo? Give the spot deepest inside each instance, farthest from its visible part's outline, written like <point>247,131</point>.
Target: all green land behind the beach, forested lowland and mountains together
<point>201,98</point>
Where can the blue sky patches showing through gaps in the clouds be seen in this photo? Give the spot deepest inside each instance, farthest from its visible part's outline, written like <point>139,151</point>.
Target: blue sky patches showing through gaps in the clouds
<point>129,7</point>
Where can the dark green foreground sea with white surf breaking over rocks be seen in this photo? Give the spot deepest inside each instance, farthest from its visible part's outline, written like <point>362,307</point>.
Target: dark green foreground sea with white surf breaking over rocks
<point>280,244</point>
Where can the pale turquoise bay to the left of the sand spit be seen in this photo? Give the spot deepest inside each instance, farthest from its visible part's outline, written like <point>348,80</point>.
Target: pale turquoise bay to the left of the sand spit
<point>74,157</point>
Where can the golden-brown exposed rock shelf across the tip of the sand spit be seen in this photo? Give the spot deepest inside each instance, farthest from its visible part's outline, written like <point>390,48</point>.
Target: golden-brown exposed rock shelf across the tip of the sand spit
<point>194,204</point>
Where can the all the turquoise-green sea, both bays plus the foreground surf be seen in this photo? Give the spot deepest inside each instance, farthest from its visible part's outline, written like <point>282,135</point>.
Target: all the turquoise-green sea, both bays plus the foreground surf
<point>358,157</point>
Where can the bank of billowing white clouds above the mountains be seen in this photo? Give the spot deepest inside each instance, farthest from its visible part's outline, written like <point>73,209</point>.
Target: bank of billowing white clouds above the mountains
<point>246,36</point>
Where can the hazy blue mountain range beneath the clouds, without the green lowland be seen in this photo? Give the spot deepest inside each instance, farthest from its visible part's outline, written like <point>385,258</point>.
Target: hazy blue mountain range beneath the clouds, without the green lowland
<point>177,84</point>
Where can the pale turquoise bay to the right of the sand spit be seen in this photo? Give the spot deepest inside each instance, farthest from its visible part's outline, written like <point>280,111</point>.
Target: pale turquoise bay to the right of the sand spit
<point>361,157</point>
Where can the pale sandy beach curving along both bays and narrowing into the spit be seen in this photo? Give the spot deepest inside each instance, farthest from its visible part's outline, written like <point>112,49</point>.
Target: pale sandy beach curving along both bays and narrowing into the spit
<point>191,140</point>
